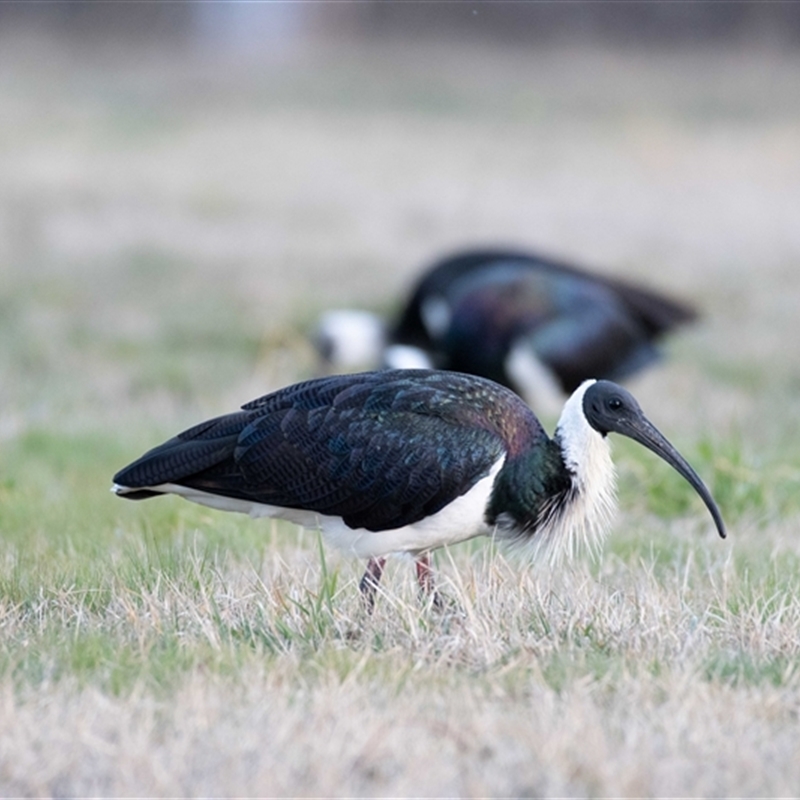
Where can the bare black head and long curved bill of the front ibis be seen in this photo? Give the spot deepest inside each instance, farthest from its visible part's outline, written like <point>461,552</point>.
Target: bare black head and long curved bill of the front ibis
<point>609,408</point>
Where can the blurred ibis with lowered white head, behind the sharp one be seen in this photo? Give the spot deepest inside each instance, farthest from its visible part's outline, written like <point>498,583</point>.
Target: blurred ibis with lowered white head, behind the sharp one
<point>534,324</point>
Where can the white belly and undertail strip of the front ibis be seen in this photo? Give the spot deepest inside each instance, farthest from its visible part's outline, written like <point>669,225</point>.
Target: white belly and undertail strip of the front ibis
<point>460,520</point>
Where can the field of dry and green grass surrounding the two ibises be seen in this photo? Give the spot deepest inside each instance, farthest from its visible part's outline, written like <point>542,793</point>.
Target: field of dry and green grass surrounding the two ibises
<point>171,225</point>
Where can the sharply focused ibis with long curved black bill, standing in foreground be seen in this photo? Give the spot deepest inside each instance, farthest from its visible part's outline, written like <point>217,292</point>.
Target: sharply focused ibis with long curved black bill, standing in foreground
<point>408,461</point>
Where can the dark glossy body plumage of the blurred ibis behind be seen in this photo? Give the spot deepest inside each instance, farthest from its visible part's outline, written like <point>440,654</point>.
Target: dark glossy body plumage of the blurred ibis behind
<point>580,325</point>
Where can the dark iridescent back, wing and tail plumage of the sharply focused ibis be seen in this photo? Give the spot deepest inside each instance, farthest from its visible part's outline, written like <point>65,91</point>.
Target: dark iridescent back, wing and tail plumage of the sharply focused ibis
<point>379,449</point>
